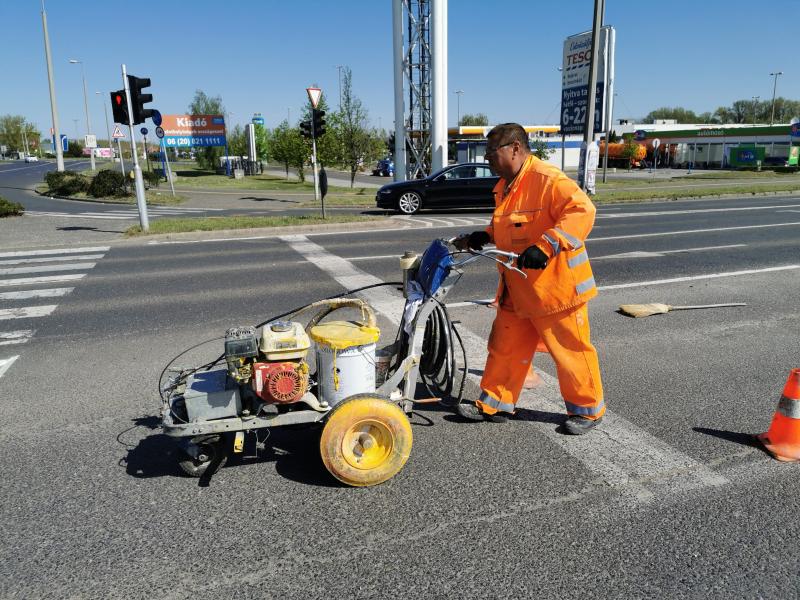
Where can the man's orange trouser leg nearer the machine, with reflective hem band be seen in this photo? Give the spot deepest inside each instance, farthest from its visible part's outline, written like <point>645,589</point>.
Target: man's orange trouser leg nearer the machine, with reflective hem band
<point>511,345</point>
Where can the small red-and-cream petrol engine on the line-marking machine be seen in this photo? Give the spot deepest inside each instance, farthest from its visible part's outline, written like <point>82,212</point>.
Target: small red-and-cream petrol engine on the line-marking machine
<point>274,366</point>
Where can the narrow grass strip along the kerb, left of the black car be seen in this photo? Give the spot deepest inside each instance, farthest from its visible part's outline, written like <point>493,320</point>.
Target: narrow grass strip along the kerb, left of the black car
<point>241,222</point>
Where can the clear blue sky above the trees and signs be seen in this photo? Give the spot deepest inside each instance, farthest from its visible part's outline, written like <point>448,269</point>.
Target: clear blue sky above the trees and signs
<point>504,54</point>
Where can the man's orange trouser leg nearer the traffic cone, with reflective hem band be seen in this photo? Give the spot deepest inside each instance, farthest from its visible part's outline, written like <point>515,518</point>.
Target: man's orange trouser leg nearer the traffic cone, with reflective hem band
<point>567,337</point>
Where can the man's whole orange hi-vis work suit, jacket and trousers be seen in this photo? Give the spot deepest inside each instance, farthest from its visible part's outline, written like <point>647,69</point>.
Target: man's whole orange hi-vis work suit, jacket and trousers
<point>543,207</point>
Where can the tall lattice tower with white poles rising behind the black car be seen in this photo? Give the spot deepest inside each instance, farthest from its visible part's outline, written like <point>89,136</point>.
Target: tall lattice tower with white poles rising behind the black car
<point>420,76</point>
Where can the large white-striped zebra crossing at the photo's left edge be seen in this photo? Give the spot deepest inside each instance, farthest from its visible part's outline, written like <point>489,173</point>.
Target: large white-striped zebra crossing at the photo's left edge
<point>24,276</point>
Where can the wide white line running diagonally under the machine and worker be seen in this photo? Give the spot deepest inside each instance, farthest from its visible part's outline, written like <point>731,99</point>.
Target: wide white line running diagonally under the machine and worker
<point>621,454</point>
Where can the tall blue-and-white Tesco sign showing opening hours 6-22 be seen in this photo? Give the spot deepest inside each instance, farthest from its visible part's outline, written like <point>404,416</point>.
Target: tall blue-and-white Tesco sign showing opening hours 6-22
<point>575,68</point>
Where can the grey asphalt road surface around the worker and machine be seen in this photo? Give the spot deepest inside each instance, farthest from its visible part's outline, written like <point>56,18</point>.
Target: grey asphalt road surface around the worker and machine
<point>669,498</point>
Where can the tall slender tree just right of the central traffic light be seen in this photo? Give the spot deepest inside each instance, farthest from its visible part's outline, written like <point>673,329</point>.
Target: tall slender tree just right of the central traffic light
<point>357,142</point>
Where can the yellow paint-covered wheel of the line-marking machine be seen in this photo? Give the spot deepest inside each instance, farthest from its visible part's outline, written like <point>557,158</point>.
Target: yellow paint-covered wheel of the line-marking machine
<point>366,440</point>
